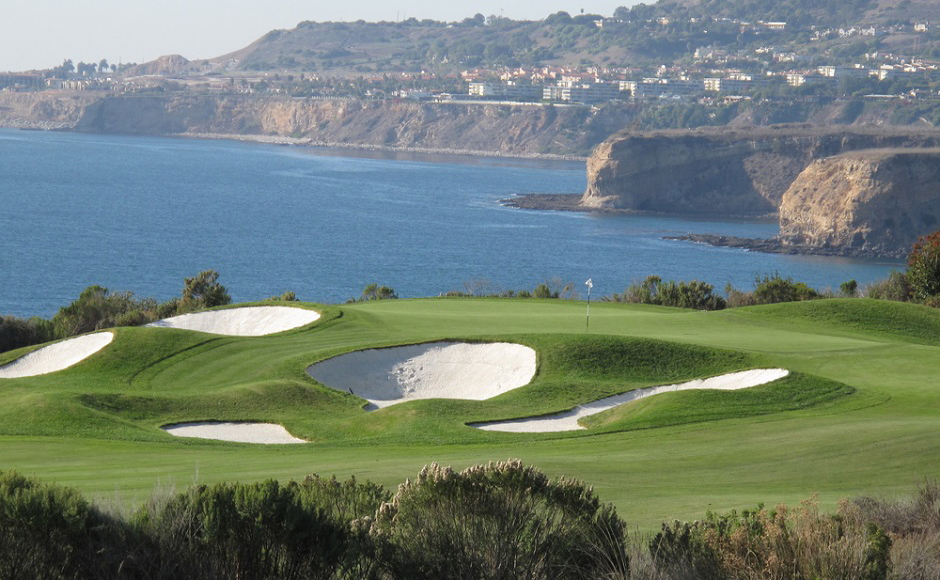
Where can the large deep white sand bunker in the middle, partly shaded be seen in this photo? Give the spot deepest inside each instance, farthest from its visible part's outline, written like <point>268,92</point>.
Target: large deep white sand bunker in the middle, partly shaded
<point>440,370</point>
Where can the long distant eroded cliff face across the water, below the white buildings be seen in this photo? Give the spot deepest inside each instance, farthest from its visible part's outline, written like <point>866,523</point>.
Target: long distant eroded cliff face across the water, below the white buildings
<point>516,130</point>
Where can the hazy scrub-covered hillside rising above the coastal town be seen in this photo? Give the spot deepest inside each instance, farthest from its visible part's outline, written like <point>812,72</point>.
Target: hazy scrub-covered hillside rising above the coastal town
<point>643,35</point>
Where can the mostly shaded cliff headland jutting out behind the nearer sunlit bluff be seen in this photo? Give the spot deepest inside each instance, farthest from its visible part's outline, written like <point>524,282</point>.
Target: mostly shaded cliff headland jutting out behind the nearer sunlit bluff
<point>721,171</point>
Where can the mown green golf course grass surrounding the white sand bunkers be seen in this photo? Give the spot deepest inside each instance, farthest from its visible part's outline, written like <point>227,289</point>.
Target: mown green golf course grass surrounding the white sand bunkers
<point>858,412</point>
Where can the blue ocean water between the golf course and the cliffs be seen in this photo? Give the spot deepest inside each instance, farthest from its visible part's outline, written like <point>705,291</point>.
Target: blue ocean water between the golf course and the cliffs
<point>140,214</point>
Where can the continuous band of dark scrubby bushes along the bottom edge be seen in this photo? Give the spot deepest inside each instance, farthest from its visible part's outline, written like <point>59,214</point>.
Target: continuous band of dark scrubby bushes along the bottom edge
<point>503,521</point>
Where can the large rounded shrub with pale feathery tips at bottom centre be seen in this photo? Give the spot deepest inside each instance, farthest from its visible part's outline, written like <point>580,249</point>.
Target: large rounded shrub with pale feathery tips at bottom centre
<point>500,521</point>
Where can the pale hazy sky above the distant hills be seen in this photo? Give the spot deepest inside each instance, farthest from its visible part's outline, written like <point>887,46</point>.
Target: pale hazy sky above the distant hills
<point>38,34</point>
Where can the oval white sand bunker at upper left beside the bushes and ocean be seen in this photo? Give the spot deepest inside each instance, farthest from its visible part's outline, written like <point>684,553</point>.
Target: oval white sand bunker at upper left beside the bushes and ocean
<point>244,321</point>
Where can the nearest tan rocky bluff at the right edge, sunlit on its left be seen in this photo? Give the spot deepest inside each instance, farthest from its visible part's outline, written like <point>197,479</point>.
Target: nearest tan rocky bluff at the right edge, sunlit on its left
<point>873,202</point>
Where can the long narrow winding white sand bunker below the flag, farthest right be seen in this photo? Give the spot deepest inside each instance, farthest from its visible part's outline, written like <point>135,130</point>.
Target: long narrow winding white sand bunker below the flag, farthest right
<point>568,420</point>
